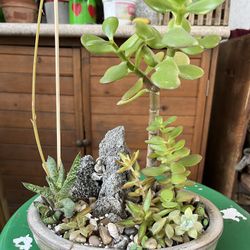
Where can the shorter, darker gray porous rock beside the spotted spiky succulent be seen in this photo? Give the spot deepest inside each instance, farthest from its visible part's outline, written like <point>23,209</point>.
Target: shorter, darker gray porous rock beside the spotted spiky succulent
<point>85,186</point>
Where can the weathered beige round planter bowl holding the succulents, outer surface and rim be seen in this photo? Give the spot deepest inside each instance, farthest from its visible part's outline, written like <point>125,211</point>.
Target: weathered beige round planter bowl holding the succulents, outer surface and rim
<point>48,240</point>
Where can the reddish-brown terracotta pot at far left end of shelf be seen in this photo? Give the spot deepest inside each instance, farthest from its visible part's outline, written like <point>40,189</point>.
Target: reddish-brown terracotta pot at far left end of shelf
<point>19,11</point>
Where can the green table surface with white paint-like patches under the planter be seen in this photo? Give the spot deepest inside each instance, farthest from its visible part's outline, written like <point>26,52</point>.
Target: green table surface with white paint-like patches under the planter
<point>236,234</point>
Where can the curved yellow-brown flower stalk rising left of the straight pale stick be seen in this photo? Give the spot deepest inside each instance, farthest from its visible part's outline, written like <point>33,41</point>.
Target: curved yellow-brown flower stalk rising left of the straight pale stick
<point>33,120</point>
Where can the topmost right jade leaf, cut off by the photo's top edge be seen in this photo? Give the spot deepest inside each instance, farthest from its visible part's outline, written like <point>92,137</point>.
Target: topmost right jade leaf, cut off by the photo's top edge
<point>202,7</point>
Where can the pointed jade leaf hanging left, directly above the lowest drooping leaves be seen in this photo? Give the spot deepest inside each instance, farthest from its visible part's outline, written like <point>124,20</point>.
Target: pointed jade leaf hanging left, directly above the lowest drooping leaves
<point>115,73</point>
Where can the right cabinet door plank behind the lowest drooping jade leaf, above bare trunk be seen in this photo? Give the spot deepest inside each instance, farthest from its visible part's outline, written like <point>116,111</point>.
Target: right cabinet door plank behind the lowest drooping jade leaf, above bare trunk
<point>187,89</point>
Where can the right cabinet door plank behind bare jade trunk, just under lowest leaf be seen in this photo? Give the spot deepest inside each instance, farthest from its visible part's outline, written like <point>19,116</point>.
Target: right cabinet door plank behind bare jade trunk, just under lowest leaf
<point>169,106</point>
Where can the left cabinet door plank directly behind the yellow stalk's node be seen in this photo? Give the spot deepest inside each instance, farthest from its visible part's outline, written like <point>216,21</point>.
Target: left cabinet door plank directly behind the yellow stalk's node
<point>19,119</point>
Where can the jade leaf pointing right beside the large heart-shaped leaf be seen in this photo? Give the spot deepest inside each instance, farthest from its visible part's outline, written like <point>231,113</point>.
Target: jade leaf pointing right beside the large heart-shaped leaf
<point>190,72</point>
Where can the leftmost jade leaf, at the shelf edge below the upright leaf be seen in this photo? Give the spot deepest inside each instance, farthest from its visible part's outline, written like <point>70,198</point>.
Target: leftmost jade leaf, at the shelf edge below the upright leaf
<point>96,45</point>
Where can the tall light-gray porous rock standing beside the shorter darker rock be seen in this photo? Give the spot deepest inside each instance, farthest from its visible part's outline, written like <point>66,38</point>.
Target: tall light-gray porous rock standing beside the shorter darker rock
<point>111,196</point>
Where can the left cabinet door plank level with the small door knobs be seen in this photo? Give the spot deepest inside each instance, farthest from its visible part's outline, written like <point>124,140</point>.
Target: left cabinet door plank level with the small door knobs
<point>26,136</point>
